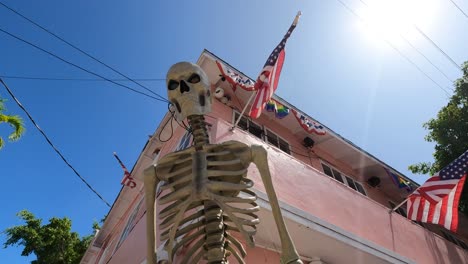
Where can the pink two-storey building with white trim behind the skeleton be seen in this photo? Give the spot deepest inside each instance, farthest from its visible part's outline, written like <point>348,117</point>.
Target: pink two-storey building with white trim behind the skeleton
<point>334,196</point>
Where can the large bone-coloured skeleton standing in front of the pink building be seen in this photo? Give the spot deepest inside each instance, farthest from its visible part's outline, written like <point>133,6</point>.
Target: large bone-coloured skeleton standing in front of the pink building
<point>208,197</point>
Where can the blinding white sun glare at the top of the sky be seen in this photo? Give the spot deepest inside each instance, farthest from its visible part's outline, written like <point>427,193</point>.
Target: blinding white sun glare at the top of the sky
<point>388,19</point>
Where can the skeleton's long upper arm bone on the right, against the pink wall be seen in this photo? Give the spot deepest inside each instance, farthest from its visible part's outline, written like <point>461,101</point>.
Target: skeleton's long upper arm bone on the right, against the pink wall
<point>289,254</point>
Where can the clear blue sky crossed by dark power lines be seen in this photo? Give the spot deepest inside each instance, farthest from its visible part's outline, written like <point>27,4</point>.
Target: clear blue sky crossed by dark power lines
<point>335,70</point>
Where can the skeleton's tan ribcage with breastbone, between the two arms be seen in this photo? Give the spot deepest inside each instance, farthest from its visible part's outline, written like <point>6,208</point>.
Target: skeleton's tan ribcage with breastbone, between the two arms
<point>208,199</point>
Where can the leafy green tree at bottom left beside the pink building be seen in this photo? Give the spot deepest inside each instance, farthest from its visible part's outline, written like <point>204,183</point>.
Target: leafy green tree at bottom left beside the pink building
<point>53,243</point>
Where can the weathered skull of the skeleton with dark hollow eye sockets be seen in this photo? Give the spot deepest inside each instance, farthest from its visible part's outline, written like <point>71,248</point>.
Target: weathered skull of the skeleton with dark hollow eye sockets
<point>188,88</point>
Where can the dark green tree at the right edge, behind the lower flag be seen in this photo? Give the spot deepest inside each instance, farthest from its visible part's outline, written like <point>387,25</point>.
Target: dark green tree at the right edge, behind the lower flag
<point>449,130</point>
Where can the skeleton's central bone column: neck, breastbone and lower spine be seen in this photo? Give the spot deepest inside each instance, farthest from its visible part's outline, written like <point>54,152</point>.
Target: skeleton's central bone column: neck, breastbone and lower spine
<point>214,224</point>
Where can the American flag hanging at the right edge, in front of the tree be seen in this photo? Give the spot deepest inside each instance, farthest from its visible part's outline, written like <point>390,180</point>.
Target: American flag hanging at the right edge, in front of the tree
<point>436,201</point>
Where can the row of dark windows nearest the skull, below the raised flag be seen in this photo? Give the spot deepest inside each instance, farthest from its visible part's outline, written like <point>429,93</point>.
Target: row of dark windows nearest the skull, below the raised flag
<point>262,133</point>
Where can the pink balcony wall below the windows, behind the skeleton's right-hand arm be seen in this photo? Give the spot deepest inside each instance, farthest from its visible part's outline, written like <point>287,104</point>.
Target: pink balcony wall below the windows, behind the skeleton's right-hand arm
<point>331,221</point>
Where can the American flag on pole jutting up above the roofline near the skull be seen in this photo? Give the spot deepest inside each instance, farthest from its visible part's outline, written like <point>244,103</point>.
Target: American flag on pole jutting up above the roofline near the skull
<point>267,81</point>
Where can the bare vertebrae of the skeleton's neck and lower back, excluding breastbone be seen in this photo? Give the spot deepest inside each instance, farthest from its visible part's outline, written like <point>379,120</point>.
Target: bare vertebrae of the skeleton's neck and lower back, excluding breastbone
<point>215,242</point>
